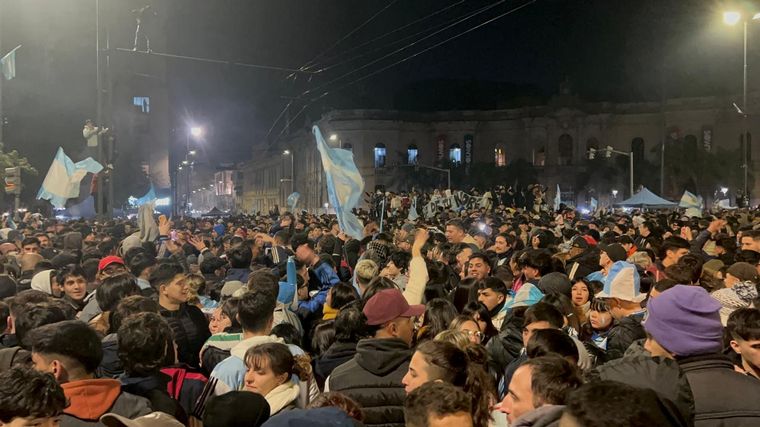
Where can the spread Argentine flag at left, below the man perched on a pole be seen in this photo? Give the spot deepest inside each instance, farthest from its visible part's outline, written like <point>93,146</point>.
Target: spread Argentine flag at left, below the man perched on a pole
<point>62,180</point>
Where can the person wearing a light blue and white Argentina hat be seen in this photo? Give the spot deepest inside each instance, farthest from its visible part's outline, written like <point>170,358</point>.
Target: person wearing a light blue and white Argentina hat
<point>623,296</point>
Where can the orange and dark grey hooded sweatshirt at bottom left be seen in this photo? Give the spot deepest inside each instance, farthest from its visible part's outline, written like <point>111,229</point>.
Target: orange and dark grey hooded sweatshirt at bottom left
<point>90,399</point>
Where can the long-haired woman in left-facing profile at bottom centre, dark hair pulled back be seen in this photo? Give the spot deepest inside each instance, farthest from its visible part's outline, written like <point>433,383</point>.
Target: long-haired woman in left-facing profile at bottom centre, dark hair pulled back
<point>444,361</point>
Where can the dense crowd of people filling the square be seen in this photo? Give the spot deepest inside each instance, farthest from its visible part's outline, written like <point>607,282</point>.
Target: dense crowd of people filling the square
<point>481,314</point>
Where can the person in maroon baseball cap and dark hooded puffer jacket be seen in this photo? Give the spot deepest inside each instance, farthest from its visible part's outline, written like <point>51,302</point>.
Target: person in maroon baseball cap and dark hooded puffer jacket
<point>373,376</point>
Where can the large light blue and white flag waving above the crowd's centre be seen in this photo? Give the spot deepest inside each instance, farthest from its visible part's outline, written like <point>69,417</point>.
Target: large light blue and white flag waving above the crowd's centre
<point>344,184</point>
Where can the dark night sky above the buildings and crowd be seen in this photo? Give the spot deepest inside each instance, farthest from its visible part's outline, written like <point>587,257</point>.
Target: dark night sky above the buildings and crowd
<point>614,50</point>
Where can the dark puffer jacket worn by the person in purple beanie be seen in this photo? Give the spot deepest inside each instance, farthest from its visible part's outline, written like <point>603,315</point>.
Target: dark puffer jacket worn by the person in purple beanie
<point>722,397</point>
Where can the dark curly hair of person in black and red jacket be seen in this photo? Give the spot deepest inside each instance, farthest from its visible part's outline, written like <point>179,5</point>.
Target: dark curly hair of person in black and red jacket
<point>145,344</point>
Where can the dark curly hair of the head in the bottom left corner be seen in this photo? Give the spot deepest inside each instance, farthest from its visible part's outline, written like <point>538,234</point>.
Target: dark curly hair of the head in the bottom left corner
<point>27,393</point>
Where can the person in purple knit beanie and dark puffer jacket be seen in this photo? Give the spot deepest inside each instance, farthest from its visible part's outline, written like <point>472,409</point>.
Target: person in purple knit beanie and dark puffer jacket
<point>684,324</point>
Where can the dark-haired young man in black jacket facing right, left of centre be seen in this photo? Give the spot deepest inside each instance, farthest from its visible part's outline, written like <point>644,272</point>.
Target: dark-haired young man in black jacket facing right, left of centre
<point>187,321</point>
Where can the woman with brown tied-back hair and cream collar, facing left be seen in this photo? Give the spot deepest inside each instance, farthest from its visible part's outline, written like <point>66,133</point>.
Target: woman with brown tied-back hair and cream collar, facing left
<point>269,371</point>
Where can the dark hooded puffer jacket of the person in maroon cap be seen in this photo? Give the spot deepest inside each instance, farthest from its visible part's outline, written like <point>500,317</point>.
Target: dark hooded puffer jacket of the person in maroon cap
<point>373,378</point>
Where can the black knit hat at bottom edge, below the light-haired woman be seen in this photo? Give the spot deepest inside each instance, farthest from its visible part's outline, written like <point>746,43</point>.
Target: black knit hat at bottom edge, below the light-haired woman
<point>224,410</point>
